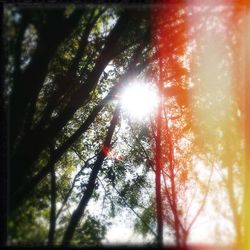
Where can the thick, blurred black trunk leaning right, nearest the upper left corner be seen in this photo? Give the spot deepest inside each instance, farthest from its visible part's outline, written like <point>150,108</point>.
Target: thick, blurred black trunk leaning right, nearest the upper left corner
<point>27,85</point>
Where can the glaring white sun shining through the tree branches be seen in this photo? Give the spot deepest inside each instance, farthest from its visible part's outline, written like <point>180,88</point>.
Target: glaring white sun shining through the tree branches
<point>139,100</point>
